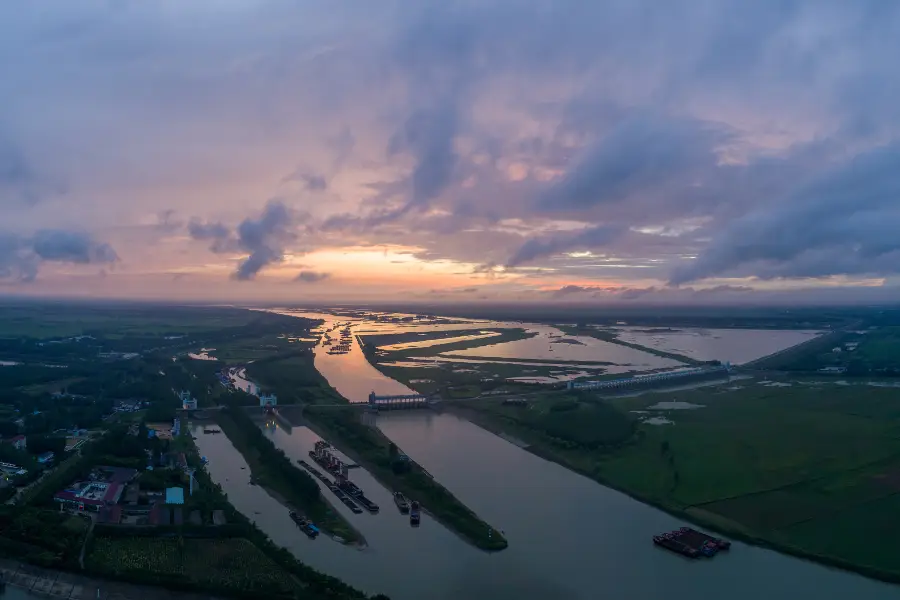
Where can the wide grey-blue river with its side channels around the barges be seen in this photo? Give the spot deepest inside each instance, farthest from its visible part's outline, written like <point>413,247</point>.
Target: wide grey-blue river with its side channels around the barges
<point>569,537</point>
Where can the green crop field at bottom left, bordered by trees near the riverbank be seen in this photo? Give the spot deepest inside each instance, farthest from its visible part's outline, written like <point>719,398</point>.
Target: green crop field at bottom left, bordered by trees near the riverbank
<point>218,563</point>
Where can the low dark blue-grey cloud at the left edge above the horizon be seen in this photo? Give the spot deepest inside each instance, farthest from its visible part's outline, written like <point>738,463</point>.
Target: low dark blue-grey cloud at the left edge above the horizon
<point>21,257</point>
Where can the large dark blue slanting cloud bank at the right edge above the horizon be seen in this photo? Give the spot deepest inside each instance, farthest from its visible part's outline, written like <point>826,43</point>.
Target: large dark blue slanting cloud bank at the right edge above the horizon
<point>843,222</point>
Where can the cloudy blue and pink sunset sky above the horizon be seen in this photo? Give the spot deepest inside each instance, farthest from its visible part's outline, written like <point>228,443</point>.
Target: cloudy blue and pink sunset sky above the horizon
<point>688,151</point>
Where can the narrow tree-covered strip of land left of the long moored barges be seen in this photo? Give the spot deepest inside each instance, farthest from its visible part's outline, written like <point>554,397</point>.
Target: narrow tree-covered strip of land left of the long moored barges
<point>288,484</point>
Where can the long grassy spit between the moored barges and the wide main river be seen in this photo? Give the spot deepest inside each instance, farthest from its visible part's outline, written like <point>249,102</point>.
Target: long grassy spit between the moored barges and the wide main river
<point>370,448</point>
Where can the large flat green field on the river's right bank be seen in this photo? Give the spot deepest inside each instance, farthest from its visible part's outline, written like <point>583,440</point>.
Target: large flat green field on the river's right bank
<point>811,470</point>
